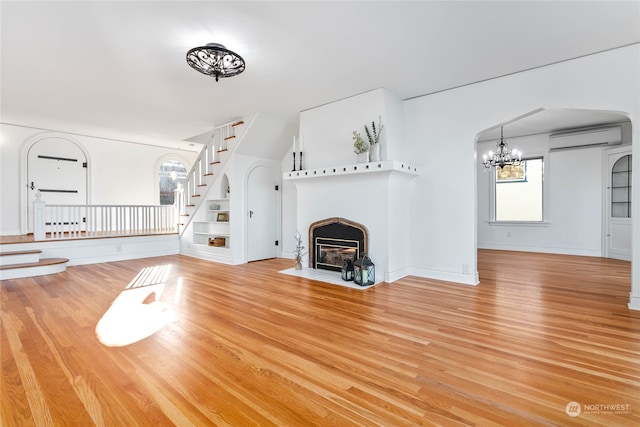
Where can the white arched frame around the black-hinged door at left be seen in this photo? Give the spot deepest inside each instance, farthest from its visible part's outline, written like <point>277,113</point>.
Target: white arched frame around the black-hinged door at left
<point>23,208</point>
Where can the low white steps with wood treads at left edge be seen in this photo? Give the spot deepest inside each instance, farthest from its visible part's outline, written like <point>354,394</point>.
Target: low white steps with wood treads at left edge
<point>17,264</point>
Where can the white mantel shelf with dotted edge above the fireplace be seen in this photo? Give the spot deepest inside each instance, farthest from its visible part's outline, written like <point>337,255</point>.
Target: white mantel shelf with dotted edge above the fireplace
<point>359,168</point>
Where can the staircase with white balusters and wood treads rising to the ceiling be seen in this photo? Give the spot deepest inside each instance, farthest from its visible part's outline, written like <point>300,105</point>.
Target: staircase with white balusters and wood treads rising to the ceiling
<point>207,167</point>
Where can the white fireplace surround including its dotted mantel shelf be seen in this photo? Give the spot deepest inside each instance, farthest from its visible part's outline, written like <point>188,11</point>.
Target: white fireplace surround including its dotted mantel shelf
<point>376,195</point>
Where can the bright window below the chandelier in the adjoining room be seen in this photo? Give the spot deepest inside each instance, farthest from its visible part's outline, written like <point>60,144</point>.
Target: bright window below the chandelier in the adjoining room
<point>518,192</point>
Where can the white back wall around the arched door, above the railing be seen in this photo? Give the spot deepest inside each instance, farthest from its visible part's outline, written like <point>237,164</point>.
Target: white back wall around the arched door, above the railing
<point>120,172</point>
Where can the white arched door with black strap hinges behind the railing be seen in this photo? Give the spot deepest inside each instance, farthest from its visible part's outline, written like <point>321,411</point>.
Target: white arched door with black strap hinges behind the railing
<point>57,168</point>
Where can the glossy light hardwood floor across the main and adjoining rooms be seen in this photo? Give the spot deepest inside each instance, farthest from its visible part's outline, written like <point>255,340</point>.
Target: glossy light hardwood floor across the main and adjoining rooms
<point>251,346</point>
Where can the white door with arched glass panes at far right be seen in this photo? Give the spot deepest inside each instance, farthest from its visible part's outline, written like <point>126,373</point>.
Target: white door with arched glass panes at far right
<point>618,227</point>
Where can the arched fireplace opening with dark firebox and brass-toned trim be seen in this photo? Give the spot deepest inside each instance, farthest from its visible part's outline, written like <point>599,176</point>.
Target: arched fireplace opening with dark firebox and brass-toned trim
<point>334,240</point>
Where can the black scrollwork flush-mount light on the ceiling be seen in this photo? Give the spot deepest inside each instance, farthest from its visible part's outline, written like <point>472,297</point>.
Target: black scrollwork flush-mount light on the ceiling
<point>215,60</point>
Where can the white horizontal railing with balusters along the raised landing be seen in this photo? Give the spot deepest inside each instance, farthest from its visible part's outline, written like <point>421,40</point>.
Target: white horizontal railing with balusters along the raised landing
<point>95,221</point>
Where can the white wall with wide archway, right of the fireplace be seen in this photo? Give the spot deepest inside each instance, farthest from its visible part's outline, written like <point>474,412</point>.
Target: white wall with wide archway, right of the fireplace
<point>441,129</point>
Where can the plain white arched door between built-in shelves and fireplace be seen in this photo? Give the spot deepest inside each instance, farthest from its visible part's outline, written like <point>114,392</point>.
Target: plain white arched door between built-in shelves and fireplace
<point>262,202</point>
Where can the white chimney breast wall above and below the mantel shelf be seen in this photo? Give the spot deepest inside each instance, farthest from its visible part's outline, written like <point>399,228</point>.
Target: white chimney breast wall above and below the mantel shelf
<point>378,200</point>
